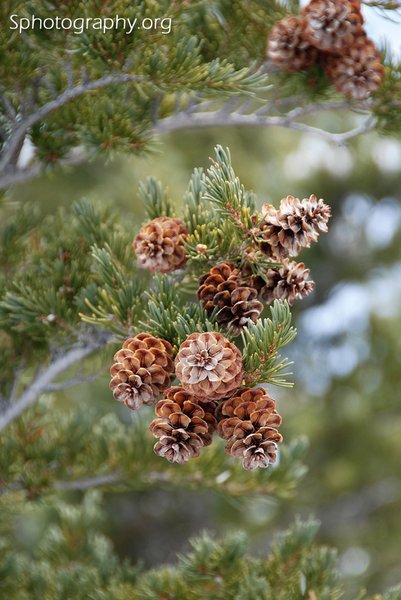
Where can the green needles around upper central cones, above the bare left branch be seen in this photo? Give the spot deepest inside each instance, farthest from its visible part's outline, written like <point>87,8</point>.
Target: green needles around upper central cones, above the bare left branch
<point>91,274</point>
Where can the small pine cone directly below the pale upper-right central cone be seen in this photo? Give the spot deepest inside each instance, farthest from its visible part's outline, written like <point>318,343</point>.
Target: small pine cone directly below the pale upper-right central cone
<point>290,282</point>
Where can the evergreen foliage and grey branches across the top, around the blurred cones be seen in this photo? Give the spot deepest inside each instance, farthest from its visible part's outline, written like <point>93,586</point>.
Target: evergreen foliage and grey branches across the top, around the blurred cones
<point>104,92</point>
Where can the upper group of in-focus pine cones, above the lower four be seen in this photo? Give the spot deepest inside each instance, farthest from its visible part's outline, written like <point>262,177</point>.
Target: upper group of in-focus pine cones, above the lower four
<point>232,289</point>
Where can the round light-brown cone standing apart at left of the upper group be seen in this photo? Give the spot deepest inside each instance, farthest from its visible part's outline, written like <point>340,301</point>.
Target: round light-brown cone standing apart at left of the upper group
<point>159,245</point>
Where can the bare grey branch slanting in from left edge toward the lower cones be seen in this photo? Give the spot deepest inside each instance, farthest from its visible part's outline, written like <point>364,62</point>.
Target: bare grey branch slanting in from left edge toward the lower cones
<point>46,377</point>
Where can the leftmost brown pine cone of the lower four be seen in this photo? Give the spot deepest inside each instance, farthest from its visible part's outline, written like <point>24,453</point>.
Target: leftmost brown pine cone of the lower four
<point>142,369</point>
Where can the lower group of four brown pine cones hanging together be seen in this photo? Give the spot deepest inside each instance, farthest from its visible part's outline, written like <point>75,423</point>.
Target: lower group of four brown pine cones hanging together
<point>210,398</point>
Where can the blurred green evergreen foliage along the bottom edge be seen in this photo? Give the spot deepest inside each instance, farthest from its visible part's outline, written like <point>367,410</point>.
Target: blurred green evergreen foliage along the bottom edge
<point>70,561</point>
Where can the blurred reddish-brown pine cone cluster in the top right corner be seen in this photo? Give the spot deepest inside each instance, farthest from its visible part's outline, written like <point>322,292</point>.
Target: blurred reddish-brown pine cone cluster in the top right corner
<point>331,33</point>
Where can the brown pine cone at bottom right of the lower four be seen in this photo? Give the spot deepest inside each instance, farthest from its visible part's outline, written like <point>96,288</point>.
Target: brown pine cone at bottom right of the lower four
<point>249,427</point>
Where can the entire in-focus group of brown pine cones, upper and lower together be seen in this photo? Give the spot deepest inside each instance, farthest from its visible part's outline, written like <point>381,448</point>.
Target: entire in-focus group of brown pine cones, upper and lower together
<point>212,394</point>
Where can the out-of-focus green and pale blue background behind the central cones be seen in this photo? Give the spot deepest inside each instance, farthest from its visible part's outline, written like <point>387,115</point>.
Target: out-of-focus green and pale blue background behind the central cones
<point>346,400</point>
